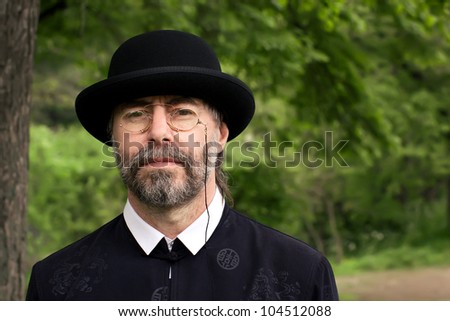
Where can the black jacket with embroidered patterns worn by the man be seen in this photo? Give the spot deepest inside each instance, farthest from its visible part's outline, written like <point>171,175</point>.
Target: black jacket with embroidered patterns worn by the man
<point>243,260</point>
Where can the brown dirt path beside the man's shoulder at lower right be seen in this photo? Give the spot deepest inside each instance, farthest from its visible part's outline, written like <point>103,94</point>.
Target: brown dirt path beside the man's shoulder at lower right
<point>419,284</point>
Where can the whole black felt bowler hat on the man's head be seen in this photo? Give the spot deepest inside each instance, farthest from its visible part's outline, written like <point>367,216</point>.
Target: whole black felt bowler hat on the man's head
<point>165,62</point>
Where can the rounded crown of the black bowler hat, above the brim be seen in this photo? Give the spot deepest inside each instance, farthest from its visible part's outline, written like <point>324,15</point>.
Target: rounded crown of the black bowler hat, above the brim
<point>163,48</point>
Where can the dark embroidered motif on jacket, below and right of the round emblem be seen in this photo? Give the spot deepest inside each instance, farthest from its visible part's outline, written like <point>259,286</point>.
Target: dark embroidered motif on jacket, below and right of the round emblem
<point>270,286</point>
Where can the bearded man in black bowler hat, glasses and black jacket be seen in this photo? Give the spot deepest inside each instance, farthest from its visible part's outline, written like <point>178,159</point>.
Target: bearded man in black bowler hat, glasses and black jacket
<point>168,110</point>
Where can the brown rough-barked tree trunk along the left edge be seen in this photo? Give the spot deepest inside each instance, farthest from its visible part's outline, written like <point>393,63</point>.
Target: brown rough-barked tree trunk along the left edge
<point>18,24</point>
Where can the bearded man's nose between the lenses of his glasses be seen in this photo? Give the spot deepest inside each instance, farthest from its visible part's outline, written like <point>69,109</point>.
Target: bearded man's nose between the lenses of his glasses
<point>159,131</point>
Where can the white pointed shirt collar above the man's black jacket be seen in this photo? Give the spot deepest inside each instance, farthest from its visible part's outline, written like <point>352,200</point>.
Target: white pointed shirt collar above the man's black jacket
<point>193,237</point>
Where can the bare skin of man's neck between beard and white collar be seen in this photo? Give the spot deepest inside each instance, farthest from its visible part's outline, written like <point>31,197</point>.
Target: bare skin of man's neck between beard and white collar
<point>174,220</point>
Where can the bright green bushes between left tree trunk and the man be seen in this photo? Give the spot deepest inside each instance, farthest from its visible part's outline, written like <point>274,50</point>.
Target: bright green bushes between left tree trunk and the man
<point>70,194</point>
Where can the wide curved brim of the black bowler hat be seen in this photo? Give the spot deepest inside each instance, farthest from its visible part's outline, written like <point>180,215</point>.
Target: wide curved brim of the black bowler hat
<point>230,96</point>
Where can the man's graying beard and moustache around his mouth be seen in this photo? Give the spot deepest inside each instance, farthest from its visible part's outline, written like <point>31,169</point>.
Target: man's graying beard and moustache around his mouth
<point>156,188</point>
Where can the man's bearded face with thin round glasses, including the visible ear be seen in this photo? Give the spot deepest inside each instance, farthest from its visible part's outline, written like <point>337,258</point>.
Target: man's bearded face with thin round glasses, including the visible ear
<point>160,147</point>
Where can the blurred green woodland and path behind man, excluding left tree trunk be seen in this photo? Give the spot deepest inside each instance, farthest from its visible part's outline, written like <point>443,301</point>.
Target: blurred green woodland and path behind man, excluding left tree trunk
<point>365,83</point>
